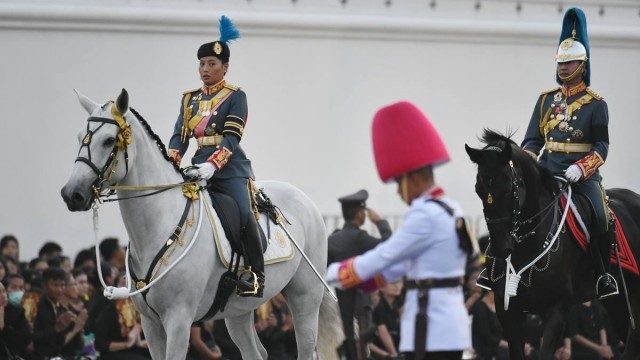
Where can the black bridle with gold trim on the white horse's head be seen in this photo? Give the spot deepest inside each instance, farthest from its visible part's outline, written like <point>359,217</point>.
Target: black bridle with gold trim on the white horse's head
<point>123,140</point>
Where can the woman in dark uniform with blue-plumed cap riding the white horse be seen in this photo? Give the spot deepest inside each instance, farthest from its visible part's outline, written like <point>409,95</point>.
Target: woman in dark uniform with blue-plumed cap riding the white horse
<point>215,115</point>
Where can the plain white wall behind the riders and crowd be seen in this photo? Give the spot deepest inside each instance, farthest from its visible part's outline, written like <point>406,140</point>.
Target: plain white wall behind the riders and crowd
<point>315,73</point>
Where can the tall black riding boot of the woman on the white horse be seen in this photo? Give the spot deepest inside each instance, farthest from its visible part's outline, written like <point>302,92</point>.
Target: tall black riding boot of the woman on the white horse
<point>251,280</point>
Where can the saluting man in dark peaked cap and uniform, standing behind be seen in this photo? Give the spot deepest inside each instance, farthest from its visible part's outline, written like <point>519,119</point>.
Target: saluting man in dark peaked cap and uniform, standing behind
<point>346,243</point>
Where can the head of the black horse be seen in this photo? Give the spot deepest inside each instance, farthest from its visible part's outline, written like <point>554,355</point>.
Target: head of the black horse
<point>501,187</point>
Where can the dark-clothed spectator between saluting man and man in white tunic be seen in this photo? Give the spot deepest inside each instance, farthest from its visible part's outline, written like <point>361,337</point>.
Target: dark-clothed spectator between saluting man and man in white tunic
<point>386,317</point>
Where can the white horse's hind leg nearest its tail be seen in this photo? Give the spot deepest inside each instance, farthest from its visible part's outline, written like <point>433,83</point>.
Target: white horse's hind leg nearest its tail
<point>304,302</point>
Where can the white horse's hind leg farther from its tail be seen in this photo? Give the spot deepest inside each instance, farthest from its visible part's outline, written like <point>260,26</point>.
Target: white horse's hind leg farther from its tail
<point>243,333</point>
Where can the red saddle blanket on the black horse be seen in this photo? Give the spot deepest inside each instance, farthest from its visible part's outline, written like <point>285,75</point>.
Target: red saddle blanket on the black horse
<point>581,235</point>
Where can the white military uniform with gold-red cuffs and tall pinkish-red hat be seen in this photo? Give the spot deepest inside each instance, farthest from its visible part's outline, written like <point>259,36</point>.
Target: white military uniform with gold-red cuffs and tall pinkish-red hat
<point>425,249</point>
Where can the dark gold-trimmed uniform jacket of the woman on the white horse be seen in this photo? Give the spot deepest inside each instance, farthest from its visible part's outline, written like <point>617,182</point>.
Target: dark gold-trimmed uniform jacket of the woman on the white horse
<point>227,120</point>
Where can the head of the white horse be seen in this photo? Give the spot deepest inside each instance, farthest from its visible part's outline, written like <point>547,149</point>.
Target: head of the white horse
<point>104,150</point>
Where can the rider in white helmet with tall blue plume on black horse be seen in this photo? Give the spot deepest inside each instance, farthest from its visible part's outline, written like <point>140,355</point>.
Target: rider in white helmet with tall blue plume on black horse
<point>570,125</point>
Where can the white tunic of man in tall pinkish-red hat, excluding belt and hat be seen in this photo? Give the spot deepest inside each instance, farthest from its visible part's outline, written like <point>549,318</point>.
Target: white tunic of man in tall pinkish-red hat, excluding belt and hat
<point>425,247</point>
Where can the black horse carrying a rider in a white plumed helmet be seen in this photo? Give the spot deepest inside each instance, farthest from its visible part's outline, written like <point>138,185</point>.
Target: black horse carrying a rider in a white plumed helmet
<point>521,202</point>
